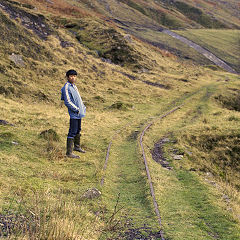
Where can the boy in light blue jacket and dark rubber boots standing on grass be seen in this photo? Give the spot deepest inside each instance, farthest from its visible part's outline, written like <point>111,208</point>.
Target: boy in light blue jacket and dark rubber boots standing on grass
<point>76,110</point>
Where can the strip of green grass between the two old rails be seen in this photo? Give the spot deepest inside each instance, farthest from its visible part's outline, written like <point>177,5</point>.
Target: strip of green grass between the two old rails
<point>125,176</point>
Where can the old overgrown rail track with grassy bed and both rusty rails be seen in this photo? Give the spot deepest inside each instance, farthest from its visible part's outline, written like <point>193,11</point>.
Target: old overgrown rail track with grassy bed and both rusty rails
<point>126,179</point>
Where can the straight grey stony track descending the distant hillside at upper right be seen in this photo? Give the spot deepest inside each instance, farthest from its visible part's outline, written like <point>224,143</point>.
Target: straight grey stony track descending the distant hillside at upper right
<point>201,50</point>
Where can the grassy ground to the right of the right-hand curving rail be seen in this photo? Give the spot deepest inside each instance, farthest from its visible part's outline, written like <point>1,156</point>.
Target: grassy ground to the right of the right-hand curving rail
<point>201,197</point>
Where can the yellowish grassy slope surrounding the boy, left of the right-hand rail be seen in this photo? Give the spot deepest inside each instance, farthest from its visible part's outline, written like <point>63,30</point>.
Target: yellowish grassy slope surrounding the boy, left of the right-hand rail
<point>37,181</point>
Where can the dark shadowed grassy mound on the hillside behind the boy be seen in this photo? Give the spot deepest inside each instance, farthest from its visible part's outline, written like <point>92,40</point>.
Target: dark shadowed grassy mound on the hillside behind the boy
<point>104,40</point>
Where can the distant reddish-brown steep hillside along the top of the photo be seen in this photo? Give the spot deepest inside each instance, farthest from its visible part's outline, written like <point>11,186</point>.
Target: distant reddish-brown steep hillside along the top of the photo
<point>144,19</point>
